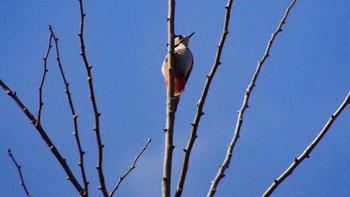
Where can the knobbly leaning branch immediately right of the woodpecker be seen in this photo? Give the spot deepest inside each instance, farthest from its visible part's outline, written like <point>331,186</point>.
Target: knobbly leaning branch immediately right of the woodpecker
<point>200,104</point>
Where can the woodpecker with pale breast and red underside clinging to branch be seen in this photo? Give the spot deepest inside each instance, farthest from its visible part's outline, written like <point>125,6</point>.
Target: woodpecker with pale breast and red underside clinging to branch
<point>182,67</point>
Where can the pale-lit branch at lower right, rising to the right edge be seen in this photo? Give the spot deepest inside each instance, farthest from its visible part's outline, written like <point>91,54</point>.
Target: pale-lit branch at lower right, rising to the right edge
<point>308,150</point>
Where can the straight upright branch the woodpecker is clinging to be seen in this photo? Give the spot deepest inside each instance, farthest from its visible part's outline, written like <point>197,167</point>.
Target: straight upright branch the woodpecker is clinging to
<point>170,113</point>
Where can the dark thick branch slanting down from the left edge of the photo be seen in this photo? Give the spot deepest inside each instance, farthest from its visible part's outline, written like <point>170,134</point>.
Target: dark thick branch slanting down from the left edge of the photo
<point>44,136</point>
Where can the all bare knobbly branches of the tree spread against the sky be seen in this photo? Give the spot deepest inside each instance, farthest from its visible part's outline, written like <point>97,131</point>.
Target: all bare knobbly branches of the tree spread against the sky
<point>80,180</point>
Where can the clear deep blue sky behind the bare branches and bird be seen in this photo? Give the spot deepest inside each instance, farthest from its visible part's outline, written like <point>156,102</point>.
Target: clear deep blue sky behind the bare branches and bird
<point>301,84</point>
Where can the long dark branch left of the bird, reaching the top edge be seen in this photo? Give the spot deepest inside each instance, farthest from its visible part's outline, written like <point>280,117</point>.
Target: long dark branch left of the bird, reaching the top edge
<point>96,128</point>
